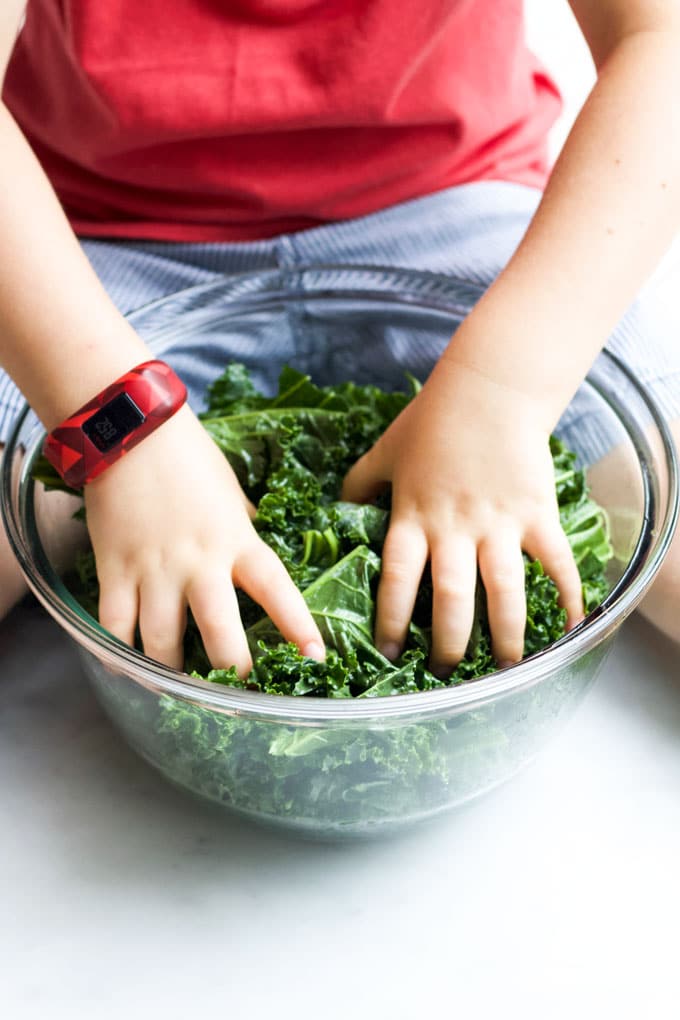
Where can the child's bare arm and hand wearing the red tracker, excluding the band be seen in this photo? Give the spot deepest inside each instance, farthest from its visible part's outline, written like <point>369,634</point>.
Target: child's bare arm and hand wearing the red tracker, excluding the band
<point>156,518</point>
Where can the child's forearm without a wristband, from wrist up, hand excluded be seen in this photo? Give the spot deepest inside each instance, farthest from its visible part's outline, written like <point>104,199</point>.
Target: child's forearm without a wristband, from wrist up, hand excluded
<point>609,214</point>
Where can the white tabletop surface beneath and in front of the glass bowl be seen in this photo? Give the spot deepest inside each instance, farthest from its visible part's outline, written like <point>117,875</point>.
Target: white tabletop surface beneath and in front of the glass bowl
<point>556,896</point>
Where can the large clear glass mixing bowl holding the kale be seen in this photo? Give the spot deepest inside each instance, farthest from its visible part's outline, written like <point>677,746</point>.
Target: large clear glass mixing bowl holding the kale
<point>335,770</point>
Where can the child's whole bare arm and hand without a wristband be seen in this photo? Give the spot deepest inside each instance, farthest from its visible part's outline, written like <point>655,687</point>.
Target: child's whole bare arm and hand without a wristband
<point>468,461</point>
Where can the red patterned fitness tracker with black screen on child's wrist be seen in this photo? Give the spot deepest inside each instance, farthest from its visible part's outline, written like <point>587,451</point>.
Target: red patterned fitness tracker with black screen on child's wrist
<point>115,422</point>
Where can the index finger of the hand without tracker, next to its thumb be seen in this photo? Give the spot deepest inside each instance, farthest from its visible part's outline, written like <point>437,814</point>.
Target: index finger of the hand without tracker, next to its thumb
<point>404,559</point>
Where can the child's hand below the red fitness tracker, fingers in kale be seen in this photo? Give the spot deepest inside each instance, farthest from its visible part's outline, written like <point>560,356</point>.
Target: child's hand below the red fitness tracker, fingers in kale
<point>171,528</point>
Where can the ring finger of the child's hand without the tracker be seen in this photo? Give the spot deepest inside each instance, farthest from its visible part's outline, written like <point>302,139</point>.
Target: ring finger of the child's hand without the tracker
<point>502,571</point>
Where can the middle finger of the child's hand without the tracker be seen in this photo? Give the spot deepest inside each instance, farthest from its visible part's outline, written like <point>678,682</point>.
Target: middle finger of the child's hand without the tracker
<point>454,582</point>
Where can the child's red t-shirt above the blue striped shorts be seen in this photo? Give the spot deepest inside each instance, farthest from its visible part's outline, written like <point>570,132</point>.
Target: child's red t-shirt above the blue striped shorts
<point>236,120</point>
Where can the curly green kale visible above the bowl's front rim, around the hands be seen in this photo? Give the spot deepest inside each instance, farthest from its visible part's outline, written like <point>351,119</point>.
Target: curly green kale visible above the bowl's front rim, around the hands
<point>291,452</point>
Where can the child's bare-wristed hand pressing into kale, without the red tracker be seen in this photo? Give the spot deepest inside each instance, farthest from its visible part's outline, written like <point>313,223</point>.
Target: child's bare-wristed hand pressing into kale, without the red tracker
<point>473,485</point>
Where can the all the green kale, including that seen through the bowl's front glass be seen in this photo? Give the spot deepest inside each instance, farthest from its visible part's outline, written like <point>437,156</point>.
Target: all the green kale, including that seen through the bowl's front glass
<point>291,452</point>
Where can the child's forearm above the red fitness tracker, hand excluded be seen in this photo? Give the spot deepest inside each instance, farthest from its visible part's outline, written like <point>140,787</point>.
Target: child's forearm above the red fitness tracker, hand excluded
<point>62,338</point>
